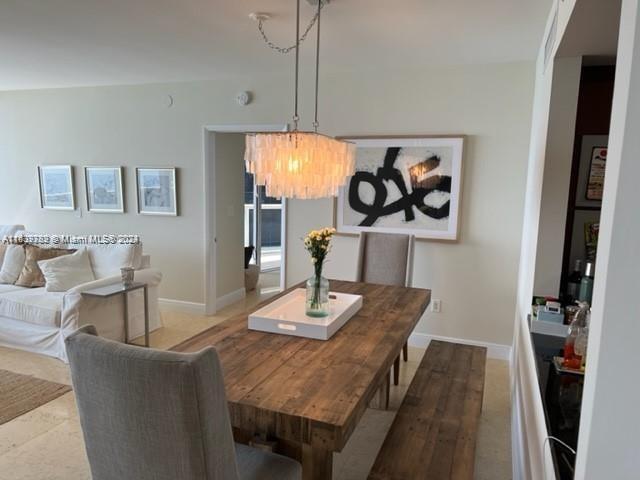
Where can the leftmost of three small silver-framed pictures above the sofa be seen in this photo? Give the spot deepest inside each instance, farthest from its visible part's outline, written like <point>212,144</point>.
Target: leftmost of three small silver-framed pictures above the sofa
<point>56,187</point>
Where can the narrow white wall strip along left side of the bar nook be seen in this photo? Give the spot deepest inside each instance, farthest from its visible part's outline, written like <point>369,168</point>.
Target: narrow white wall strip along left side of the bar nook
<point>531,460</point>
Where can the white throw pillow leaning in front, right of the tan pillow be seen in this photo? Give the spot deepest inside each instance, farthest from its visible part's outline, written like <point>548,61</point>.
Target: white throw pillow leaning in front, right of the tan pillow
<point>68,271</point>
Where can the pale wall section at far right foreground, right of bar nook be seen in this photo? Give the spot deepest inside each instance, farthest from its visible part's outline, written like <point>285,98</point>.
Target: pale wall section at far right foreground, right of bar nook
<point>609,423</point>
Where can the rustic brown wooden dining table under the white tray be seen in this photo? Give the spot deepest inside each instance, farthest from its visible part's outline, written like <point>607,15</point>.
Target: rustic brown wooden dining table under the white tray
<point>309,395</point>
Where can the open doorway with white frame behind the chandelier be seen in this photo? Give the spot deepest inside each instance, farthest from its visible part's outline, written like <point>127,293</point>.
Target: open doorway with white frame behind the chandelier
<point>238,214</point>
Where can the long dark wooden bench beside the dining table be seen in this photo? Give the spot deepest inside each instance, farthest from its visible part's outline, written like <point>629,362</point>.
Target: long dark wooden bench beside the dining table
<point>434,432</point>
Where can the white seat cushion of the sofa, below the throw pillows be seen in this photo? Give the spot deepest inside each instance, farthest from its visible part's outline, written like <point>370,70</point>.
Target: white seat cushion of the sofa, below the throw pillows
<point>32,305</point>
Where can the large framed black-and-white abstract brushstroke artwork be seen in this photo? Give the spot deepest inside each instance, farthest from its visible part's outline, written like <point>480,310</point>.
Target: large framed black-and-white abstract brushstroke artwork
<point>407,185</point>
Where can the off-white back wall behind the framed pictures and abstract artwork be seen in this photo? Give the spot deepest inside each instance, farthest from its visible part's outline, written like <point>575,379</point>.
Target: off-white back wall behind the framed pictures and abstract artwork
<point>491,104</point>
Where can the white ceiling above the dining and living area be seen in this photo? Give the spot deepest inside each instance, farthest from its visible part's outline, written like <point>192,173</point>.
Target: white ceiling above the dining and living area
<point>61,43</point>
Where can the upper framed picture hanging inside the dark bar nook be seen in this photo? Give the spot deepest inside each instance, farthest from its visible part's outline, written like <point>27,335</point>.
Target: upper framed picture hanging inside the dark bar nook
<point>591,170</point>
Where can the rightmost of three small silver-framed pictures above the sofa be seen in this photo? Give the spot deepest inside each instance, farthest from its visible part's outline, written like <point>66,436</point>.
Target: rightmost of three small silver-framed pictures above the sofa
<point>157,191</point>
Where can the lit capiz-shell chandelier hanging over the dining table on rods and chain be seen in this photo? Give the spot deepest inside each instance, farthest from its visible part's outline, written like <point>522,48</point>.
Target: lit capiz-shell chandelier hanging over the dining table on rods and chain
<point>299,164</point>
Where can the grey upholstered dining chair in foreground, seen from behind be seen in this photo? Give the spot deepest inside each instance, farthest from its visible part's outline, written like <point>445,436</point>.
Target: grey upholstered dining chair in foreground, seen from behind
<point>148,414</point>
